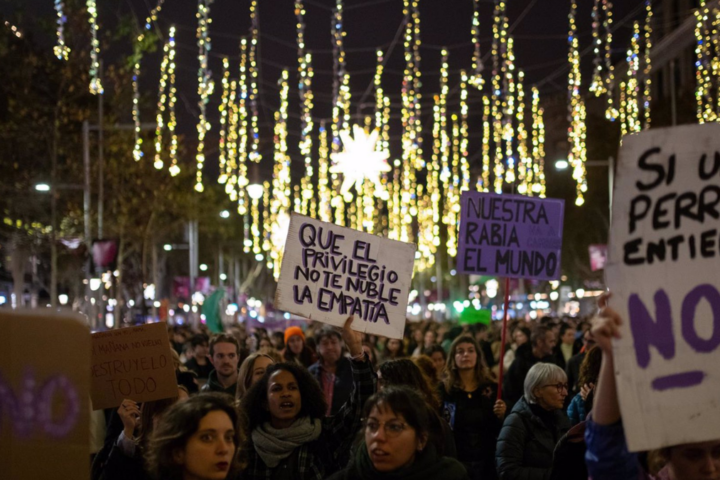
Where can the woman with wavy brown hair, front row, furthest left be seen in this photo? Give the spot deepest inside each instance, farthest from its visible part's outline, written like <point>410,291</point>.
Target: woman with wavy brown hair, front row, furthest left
<point>197,439</point>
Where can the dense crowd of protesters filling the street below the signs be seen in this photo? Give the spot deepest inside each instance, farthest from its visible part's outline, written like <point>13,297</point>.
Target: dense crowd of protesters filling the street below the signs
<point>324,402</point>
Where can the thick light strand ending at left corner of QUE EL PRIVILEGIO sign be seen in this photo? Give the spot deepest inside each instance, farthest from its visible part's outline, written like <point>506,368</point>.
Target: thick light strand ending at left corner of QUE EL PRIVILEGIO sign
<point>280,204</point>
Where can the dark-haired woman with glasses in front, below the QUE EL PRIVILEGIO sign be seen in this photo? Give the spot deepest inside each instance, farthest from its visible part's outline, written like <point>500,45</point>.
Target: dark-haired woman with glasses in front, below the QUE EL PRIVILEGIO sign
<point>400,441</point>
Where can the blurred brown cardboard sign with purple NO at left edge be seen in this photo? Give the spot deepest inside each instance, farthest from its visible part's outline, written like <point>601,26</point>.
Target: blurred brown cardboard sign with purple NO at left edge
<point>44,396</point>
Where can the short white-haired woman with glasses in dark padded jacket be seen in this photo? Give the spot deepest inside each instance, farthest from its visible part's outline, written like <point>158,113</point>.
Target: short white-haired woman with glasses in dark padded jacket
<point>535,425</point>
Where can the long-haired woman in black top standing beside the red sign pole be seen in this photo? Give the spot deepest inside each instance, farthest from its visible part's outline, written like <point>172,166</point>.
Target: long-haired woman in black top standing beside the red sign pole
<point>471,407</point>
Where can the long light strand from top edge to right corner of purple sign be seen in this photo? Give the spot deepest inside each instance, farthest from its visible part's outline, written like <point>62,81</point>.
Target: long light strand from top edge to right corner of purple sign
<point>577,114</point>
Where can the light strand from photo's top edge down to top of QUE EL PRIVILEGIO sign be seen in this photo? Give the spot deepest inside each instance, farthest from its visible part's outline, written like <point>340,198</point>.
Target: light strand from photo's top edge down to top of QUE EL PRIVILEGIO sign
<point>305,72</point>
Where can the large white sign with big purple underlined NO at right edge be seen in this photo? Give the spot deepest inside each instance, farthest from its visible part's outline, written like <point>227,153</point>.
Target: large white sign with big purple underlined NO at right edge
<point>664,272</point>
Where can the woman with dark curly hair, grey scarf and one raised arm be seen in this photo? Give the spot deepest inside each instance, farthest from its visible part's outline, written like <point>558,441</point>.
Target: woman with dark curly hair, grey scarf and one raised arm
<point>289,436</point>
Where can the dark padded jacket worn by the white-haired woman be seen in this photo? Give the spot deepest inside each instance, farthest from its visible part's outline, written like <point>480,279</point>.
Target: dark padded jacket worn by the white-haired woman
<point>526,443</point>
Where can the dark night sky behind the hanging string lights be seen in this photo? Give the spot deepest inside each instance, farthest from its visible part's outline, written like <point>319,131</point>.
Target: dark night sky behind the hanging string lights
<point>538,26</point>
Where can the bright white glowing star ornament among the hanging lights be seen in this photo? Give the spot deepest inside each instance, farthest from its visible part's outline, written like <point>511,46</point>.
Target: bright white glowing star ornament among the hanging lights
<point>360,161</point>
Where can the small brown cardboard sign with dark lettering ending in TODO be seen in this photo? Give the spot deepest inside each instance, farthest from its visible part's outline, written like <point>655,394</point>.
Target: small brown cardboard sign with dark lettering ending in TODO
<point>133,363</point>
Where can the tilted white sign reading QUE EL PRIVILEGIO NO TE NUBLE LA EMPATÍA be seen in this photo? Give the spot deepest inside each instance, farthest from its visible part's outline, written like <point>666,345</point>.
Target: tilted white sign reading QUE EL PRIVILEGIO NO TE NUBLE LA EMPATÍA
<point>330,272</point>
